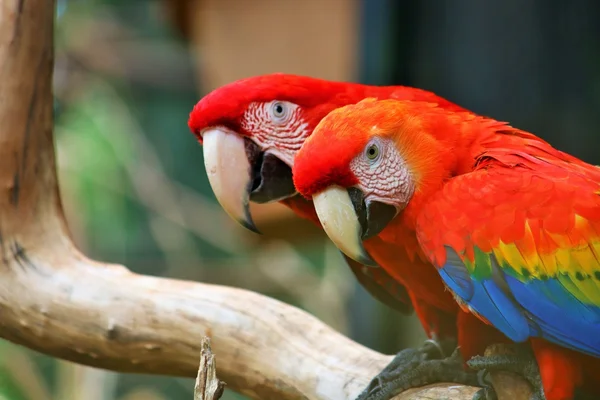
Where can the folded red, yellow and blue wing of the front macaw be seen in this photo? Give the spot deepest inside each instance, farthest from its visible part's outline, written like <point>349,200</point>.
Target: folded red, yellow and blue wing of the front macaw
<point>518,242</point>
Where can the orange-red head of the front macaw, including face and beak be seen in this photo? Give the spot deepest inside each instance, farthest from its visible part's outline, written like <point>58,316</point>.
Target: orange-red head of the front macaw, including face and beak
<point>367,163</point>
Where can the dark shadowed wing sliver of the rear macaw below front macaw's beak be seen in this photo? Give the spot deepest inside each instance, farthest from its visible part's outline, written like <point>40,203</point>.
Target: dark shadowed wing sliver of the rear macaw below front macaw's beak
<point>381,286</point>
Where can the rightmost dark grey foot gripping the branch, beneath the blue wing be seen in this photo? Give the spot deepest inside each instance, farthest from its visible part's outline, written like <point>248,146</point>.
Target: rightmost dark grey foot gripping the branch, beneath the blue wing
<point>521,362</point>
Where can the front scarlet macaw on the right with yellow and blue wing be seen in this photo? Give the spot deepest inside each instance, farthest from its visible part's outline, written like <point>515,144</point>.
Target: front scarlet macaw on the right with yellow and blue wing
<point>509,223</point>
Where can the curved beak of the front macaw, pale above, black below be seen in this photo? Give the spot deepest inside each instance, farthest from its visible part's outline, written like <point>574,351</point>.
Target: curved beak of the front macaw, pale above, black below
<point>348,220</point>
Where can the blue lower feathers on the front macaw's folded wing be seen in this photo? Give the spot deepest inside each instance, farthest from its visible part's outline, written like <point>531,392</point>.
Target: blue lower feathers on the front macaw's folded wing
<point>521,310</point>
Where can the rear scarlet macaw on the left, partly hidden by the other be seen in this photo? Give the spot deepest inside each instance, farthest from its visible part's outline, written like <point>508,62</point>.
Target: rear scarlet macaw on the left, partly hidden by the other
<point>251,131</point>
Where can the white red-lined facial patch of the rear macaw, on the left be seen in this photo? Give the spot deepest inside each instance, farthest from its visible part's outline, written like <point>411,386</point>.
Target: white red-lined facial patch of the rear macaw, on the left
<point>276,126</point>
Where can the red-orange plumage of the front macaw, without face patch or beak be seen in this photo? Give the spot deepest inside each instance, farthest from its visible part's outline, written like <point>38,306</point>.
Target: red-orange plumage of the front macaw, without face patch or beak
<point>440,148</point>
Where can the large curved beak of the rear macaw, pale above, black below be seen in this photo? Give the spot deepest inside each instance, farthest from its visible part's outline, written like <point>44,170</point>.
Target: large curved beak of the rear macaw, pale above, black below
<point>240,172</point>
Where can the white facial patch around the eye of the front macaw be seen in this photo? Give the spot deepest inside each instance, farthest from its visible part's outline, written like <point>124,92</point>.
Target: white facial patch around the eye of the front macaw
<point>384,177</point>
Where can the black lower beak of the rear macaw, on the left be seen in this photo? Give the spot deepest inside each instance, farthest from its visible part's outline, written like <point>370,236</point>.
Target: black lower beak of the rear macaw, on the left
<point>271,178</point>
